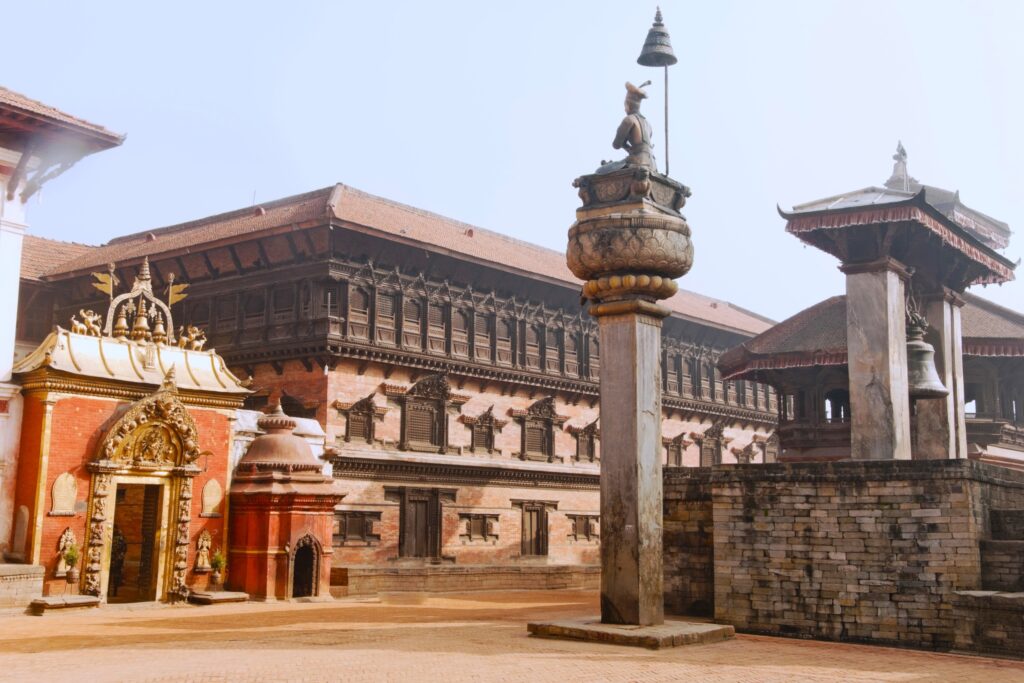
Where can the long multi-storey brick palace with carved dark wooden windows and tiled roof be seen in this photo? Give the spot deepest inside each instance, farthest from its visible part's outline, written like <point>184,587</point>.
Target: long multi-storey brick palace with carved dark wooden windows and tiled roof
<point>454,369</point>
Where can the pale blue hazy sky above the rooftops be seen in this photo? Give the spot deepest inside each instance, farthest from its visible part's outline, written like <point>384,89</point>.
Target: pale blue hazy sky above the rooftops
<point>486,112</point>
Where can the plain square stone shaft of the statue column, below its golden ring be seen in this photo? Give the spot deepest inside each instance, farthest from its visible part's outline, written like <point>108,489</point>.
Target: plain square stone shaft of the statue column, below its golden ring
<point>631,463</point>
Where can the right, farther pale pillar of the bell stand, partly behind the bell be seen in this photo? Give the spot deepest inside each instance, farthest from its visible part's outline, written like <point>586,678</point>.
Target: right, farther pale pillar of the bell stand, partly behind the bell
<point>942,431</point>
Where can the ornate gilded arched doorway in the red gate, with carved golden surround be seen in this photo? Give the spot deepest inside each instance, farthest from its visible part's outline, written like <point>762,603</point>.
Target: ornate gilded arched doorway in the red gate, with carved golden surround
<point>150,453</point>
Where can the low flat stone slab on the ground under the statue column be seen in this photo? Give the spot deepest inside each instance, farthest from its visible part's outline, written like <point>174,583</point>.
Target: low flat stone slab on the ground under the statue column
<point>670,634</point>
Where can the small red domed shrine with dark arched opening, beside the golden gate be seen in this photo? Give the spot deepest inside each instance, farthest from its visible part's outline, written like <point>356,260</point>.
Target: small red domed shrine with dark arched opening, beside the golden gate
<point>282,518</point>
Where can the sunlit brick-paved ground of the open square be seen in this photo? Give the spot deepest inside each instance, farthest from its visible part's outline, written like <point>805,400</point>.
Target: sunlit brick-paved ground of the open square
<point>451,638</point>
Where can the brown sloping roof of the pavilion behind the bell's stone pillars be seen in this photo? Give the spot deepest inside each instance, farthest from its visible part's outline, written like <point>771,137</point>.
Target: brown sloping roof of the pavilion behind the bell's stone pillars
<point>817,336</point>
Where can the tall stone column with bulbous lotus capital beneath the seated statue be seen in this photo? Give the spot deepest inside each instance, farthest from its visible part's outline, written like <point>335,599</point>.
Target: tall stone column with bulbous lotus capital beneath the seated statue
<point>628,244</point>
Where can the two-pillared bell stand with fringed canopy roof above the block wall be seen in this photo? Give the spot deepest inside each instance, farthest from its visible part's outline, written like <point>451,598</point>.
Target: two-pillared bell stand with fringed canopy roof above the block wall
<point>897,246</point>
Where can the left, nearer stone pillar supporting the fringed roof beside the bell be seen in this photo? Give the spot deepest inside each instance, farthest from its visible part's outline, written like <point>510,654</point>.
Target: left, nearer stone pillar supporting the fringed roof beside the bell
<point>876,329</point>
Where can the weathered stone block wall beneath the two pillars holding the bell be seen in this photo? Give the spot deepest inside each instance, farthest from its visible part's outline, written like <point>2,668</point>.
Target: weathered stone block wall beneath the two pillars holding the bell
<point>858,551</point>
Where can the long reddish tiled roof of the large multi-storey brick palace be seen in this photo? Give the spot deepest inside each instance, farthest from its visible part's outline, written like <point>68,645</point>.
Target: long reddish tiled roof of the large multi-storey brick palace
<point>376,216</point>
